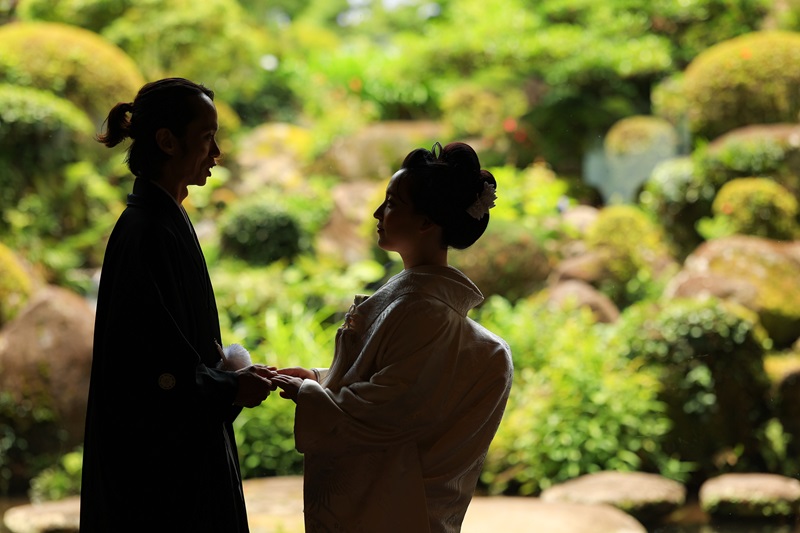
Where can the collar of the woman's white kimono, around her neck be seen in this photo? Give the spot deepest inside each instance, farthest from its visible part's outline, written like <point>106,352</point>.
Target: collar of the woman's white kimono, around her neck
<point>446,284</point>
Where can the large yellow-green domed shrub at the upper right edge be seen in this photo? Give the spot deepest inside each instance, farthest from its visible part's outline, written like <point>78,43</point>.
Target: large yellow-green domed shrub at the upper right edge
<point>751,79</point>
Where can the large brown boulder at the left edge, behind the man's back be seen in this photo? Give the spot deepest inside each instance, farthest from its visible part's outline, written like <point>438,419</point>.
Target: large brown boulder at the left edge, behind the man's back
<point>45,363</point>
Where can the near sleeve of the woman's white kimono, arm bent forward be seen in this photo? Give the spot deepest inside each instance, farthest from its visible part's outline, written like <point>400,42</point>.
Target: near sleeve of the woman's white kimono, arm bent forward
<point>415,347</point>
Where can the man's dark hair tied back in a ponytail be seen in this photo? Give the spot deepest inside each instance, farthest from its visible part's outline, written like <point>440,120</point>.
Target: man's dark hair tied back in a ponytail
<point>168,103</point>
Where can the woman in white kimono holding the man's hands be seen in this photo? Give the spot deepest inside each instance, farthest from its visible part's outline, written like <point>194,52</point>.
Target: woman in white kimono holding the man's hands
<point>396,431</point>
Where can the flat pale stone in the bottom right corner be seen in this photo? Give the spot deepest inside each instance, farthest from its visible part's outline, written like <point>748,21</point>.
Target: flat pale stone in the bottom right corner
<point>751,495</point>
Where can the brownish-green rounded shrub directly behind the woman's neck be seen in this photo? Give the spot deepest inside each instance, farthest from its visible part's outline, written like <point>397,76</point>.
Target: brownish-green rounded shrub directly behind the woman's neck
<point>507,260</point>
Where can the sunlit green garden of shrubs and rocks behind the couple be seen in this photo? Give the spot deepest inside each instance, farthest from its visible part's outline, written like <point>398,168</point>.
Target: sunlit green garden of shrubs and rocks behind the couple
<point>642,260</point>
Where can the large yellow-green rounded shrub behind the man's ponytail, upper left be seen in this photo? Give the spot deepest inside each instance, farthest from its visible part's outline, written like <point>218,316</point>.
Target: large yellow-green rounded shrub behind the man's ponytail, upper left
<point>71,62</point>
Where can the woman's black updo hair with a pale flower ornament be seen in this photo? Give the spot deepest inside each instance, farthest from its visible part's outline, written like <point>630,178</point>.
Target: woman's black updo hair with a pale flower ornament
<point>445,186</point>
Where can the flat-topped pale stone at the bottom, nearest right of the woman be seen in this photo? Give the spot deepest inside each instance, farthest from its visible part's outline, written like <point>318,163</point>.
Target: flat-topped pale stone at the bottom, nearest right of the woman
<point>647,497</point>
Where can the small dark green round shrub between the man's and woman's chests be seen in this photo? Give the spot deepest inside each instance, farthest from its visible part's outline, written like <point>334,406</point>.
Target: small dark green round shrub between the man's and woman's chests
<point>258,232</point>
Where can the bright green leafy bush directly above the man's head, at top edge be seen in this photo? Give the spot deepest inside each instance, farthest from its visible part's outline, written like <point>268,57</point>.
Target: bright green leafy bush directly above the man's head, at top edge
<point>213,42</point>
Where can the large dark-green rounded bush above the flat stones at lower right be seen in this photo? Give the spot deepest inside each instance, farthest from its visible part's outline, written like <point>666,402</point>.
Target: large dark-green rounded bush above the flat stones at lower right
<point>708,355</point>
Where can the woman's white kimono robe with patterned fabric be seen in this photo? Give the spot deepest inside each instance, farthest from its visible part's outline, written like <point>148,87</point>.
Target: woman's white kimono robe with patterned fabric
<point>395,437</point>
